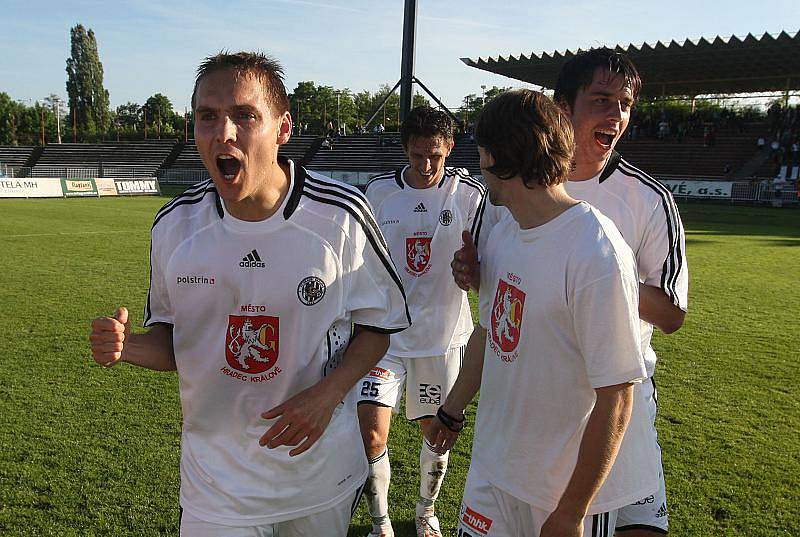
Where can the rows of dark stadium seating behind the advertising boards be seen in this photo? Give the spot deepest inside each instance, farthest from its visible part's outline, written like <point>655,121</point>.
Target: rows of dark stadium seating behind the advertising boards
<point>732,151</point>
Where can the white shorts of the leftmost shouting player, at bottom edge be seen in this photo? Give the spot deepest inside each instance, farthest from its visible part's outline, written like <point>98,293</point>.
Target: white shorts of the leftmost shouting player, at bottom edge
<point>333,522</point>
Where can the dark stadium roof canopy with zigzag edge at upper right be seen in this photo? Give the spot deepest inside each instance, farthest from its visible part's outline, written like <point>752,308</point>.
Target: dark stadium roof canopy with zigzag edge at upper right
<point>732,65</point>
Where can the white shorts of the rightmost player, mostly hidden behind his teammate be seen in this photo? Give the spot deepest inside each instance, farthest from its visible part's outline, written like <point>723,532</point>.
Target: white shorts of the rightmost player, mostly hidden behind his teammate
<point>648,513</point>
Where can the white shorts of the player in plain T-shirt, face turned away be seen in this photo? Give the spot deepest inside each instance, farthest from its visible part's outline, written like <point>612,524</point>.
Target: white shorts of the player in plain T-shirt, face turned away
<point>487,511</point>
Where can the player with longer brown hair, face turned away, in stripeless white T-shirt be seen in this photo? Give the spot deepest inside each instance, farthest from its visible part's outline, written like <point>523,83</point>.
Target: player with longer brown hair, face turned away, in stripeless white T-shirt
<point>557,351</point>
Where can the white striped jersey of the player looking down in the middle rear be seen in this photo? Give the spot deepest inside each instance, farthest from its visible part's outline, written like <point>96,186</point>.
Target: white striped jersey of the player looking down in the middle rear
<point>423,229</point>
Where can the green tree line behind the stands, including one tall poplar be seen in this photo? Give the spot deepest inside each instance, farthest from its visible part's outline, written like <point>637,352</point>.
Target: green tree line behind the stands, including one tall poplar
<point>86,115</point>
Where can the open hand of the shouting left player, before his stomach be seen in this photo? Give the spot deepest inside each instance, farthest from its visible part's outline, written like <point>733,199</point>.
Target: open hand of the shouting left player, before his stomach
<point>301,420</point>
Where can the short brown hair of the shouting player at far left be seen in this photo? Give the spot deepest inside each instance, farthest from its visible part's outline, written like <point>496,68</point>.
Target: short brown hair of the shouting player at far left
<point>267,70</point>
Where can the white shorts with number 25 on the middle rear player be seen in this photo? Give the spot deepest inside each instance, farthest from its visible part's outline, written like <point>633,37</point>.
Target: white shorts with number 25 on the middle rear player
<point>428,380</point>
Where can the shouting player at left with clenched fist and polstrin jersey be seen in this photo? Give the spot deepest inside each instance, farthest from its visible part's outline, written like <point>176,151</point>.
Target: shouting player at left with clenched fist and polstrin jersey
<point>262,334</point>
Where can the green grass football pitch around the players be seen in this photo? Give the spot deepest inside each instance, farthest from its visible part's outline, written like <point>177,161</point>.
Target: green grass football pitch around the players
<point>85,451</point>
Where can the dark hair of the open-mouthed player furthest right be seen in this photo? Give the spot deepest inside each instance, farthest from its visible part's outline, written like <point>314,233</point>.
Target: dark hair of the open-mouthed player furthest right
<point>578,72</point>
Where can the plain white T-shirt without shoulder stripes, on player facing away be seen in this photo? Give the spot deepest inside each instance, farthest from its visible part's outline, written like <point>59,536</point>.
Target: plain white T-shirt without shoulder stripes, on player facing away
<point>559,304</point>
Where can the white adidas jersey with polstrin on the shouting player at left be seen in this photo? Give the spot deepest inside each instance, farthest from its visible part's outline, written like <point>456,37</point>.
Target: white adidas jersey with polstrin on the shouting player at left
<point>261,311</point>
